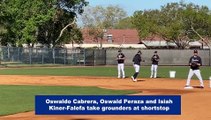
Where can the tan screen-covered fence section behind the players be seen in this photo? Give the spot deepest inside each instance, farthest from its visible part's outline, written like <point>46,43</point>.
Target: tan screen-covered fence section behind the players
<point>168,57</point>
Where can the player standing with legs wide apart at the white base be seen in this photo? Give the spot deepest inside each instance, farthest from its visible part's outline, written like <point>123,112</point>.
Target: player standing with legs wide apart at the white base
<point>195,62</point>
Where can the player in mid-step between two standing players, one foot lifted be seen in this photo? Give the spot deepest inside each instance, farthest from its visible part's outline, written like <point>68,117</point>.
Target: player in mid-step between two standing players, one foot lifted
<point>136,63</point>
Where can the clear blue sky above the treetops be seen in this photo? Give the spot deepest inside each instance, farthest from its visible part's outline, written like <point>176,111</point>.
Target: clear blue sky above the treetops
<point>130,6</point>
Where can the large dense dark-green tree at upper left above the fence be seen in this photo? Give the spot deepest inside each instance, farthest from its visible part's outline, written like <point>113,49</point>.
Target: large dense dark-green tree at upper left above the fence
<point>32,21</point>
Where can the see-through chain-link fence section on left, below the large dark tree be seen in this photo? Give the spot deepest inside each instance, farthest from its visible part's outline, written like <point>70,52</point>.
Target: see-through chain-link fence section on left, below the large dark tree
<point>17,55</point>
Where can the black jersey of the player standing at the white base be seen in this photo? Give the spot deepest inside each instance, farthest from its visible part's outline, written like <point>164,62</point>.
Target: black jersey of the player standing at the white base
<point>193,62</point>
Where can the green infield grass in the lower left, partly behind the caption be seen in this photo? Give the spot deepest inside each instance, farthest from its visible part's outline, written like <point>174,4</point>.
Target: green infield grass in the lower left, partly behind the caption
<point>17,98</point>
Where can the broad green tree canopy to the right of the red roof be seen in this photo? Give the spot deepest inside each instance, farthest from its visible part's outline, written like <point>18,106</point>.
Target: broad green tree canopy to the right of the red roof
<point>175,22</point>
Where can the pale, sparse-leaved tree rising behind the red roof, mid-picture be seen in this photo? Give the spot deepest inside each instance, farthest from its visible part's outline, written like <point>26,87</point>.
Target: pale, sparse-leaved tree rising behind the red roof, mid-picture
<point>105,17</point>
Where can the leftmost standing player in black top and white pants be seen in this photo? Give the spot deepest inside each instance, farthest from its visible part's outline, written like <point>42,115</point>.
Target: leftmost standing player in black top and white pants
<point>120,65</point>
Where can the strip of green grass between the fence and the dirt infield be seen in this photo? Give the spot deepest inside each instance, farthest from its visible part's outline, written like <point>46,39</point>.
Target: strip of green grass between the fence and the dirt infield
<point>163,71</point>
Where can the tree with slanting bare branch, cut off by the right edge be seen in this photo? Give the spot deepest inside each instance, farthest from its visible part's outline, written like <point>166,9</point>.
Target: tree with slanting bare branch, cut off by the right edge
<point>199,23</point>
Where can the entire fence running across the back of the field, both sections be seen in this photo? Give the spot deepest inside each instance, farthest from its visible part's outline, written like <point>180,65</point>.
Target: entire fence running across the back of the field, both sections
<point>90,57</point>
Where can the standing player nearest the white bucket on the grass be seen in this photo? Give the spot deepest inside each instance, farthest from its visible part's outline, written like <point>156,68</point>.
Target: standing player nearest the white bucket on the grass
<point>155,59</point>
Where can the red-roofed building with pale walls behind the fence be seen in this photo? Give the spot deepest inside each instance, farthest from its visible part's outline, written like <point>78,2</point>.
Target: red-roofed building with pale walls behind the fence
<point>129,38</point>
